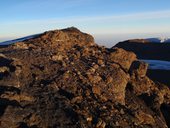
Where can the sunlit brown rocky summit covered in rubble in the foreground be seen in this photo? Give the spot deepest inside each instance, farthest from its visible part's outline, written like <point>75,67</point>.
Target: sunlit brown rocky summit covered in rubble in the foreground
<point>62,79</point>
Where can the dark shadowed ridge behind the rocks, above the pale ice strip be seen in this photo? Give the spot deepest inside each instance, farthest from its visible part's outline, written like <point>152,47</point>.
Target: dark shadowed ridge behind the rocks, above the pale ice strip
<point>147,50</point>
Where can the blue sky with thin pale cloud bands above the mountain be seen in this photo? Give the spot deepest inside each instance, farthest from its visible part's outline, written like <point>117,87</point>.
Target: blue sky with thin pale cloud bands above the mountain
<point>111,19</point>
